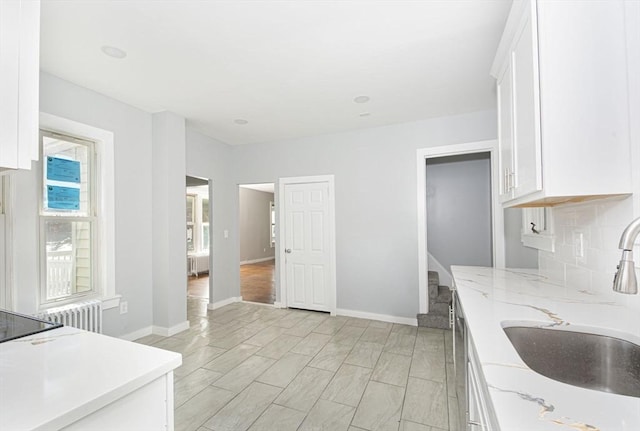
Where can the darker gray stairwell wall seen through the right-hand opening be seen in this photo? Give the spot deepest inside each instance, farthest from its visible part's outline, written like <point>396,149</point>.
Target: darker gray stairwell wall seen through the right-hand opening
<point>459,210</point>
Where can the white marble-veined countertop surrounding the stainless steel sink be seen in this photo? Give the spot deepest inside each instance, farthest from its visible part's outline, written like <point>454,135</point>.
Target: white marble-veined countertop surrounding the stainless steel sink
<point>523,399</point>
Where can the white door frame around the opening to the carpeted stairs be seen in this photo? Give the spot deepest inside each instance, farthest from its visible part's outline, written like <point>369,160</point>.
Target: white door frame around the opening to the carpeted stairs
<point>497,216</point>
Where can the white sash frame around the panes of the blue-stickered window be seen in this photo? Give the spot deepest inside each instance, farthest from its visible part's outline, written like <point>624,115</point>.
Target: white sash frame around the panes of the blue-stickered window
<point>91,218</point>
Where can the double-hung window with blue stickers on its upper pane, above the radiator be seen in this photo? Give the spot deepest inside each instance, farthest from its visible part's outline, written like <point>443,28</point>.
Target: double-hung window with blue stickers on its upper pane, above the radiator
<point>68,222</point>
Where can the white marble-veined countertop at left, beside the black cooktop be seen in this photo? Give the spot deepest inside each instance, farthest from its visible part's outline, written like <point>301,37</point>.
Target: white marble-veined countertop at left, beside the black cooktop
<point>53,379</point>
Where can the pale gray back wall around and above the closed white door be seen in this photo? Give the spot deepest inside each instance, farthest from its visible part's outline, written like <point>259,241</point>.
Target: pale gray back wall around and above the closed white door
<point>376,206</point>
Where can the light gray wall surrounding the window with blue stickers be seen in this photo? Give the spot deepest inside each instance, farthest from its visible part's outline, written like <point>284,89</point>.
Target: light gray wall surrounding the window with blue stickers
<point>133,212</point>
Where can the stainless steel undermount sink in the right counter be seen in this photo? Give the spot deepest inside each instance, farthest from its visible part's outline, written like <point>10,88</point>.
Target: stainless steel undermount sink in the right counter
<point>593,361</point>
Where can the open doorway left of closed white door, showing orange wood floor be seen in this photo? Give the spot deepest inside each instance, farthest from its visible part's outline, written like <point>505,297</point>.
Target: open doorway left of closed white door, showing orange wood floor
<point>257,227</point>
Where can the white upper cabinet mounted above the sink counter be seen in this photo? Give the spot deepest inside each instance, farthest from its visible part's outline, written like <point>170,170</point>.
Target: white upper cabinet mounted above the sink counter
<point>563,111</point>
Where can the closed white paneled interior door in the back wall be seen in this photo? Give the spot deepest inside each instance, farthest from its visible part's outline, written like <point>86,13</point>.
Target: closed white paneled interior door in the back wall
<point>308,246</point>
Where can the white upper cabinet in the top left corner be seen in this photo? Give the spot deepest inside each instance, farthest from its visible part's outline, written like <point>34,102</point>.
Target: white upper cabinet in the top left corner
<point>19,82</point>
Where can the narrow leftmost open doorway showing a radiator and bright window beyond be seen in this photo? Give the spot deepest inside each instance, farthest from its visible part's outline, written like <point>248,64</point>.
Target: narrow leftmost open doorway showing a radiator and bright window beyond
<point>198,237</point>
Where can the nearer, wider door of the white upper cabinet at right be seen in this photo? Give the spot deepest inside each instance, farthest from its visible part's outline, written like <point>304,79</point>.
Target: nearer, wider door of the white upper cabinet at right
<point>526,110</point>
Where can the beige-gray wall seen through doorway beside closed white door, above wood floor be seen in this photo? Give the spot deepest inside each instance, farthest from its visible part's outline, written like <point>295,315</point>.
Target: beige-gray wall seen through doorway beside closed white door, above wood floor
<point>255,224</point>
